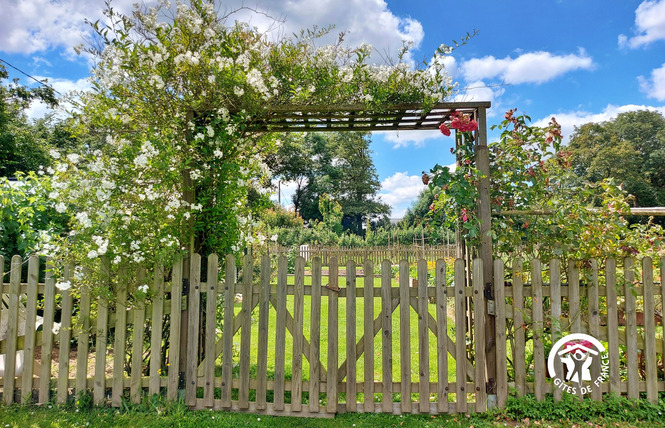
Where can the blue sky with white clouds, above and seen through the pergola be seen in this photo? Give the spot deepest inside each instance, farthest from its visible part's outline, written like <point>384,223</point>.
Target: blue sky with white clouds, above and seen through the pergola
<point>578,60</point>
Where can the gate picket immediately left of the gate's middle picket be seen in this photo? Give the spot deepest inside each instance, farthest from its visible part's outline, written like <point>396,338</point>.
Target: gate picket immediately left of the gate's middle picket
<point>315,338</point>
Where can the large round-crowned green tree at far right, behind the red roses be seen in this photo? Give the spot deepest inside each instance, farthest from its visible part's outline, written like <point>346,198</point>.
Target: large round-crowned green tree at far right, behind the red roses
<point>629,149</point>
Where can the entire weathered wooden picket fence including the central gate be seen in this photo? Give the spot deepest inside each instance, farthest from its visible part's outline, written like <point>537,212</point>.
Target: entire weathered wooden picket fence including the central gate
<point>275,351</point>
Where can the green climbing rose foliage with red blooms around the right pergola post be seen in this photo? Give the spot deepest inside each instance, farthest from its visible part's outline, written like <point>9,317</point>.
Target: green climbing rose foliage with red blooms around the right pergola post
<point>531,172</point>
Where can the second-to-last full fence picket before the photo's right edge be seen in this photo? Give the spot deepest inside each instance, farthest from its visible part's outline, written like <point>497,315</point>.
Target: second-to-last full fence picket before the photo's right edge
<point>631,330</point>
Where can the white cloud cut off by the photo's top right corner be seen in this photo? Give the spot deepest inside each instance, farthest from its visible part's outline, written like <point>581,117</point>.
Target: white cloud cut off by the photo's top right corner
<point>649,24</point>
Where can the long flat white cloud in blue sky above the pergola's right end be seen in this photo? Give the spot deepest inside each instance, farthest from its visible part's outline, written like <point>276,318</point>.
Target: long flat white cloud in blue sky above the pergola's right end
<point>532,67</point>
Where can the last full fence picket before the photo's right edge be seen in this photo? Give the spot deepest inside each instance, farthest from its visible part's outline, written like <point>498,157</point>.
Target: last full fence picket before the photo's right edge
<point>649,331</point>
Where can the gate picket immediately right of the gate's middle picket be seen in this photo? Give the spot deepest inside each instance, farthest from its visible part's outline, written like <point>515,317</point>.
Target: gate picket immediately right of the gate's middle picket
<point>351,400</point>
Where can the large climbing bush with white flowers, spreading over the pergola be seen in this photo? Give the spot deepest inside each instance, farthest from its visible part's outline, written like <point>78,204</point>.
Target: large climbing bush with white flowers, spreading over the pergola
<point>175,93</point>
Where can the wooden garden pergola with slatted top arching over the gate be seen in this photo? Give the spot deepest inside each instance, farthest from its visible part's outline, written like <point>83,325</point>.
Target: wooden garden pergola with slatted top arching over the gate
<point>398,117</point>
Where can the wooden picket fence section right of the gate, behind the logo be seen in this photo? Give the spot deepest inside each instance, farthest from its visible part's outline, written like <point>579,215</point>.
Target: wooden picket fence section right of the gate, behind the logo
<point>600,302</point>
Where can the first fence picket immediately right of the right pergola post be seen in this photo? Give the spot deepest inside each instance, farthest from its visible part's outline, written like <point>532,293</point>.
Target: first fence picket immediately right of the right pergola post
<point>500,326</point>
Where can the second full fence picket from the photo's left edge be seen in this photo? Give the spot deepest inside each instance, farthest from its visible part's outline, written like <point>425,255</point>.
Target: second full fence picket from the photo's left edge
<point>29,331</point>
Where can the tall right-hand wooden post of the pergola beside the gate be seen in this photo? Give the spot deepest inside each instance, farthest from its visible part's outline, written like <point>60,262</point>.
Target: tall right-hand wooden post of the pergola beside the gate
<point>485,217</point>
